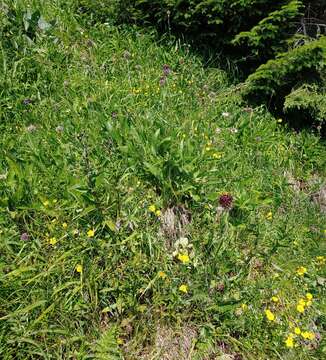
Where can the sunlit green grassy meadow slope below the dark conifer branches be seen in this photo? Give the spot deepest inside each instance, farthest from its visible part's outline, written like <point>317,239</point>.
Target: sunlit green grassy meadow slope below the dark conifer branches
<point>107,142</point>
